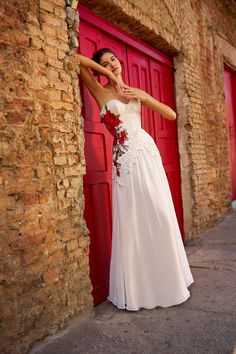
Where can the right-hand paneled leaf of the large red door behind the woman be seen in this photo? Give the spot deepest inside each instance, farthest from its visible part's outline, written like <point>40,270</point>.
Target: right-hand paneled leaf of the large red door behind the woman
<point>157,79</point>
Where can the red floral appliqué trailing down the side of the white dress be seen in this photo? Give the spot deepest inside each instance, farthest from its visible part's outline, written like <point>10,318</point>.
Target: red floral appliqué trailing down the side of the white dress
<point>113,124</point>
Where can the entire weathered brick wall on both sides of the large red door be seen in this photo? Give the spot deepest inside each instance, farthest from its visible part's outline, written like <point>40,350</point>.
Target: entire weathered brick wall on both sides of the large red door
<point>43,238</point>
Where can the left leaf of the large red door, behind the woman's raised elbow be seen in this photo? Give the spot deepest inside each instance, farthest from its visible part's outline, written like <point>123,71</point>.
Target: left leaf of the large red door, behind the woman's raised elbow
<point>97,181</point>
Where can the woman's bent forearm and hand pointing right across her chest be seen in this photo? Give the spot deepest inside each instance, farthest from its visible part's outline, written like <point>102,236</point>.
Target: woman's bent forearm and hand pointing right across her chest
<point>149,101</point>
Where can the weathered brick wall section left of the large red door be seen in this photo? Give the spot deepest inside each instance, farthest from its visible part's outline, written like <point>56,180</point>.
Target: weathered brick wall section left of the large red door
<point>43,241</point>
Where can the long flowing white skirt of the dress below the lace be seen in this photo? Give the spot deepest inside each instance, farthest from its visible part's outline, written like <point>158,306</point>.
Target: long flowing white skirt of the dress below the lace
<point>149,266</point>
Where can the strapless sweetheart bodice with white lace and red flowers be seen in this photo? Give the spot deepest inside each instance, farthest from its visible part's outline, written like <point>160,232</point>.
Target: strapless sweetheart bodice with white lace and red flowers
<point>123,120</point>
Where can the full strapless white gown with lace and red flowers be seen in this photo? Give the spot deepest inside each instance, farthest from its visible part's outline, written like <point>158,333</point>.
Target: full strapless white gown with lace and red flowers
<point>149,266</point>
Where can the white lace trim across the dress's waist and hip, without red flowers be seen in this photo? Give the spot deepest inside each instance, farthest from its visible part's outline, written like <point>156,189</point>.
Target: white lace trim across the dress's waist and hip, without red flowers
<point>139,140</point>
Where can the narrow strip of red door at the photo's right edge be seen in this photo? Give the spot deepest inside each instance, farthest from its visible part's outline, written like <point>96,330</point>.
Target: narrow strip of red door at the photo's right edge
<point>230,99</point>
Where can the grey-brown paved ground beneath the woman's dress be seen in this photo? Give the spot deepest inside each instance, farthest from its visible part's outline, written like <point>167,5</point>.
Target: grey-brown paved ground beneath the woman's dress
<point>205,324</point>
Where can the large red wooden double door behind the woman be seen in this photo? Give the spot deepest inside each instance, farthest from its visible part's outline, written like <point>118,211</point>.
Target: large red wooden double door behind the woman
<point>152,71</point>
